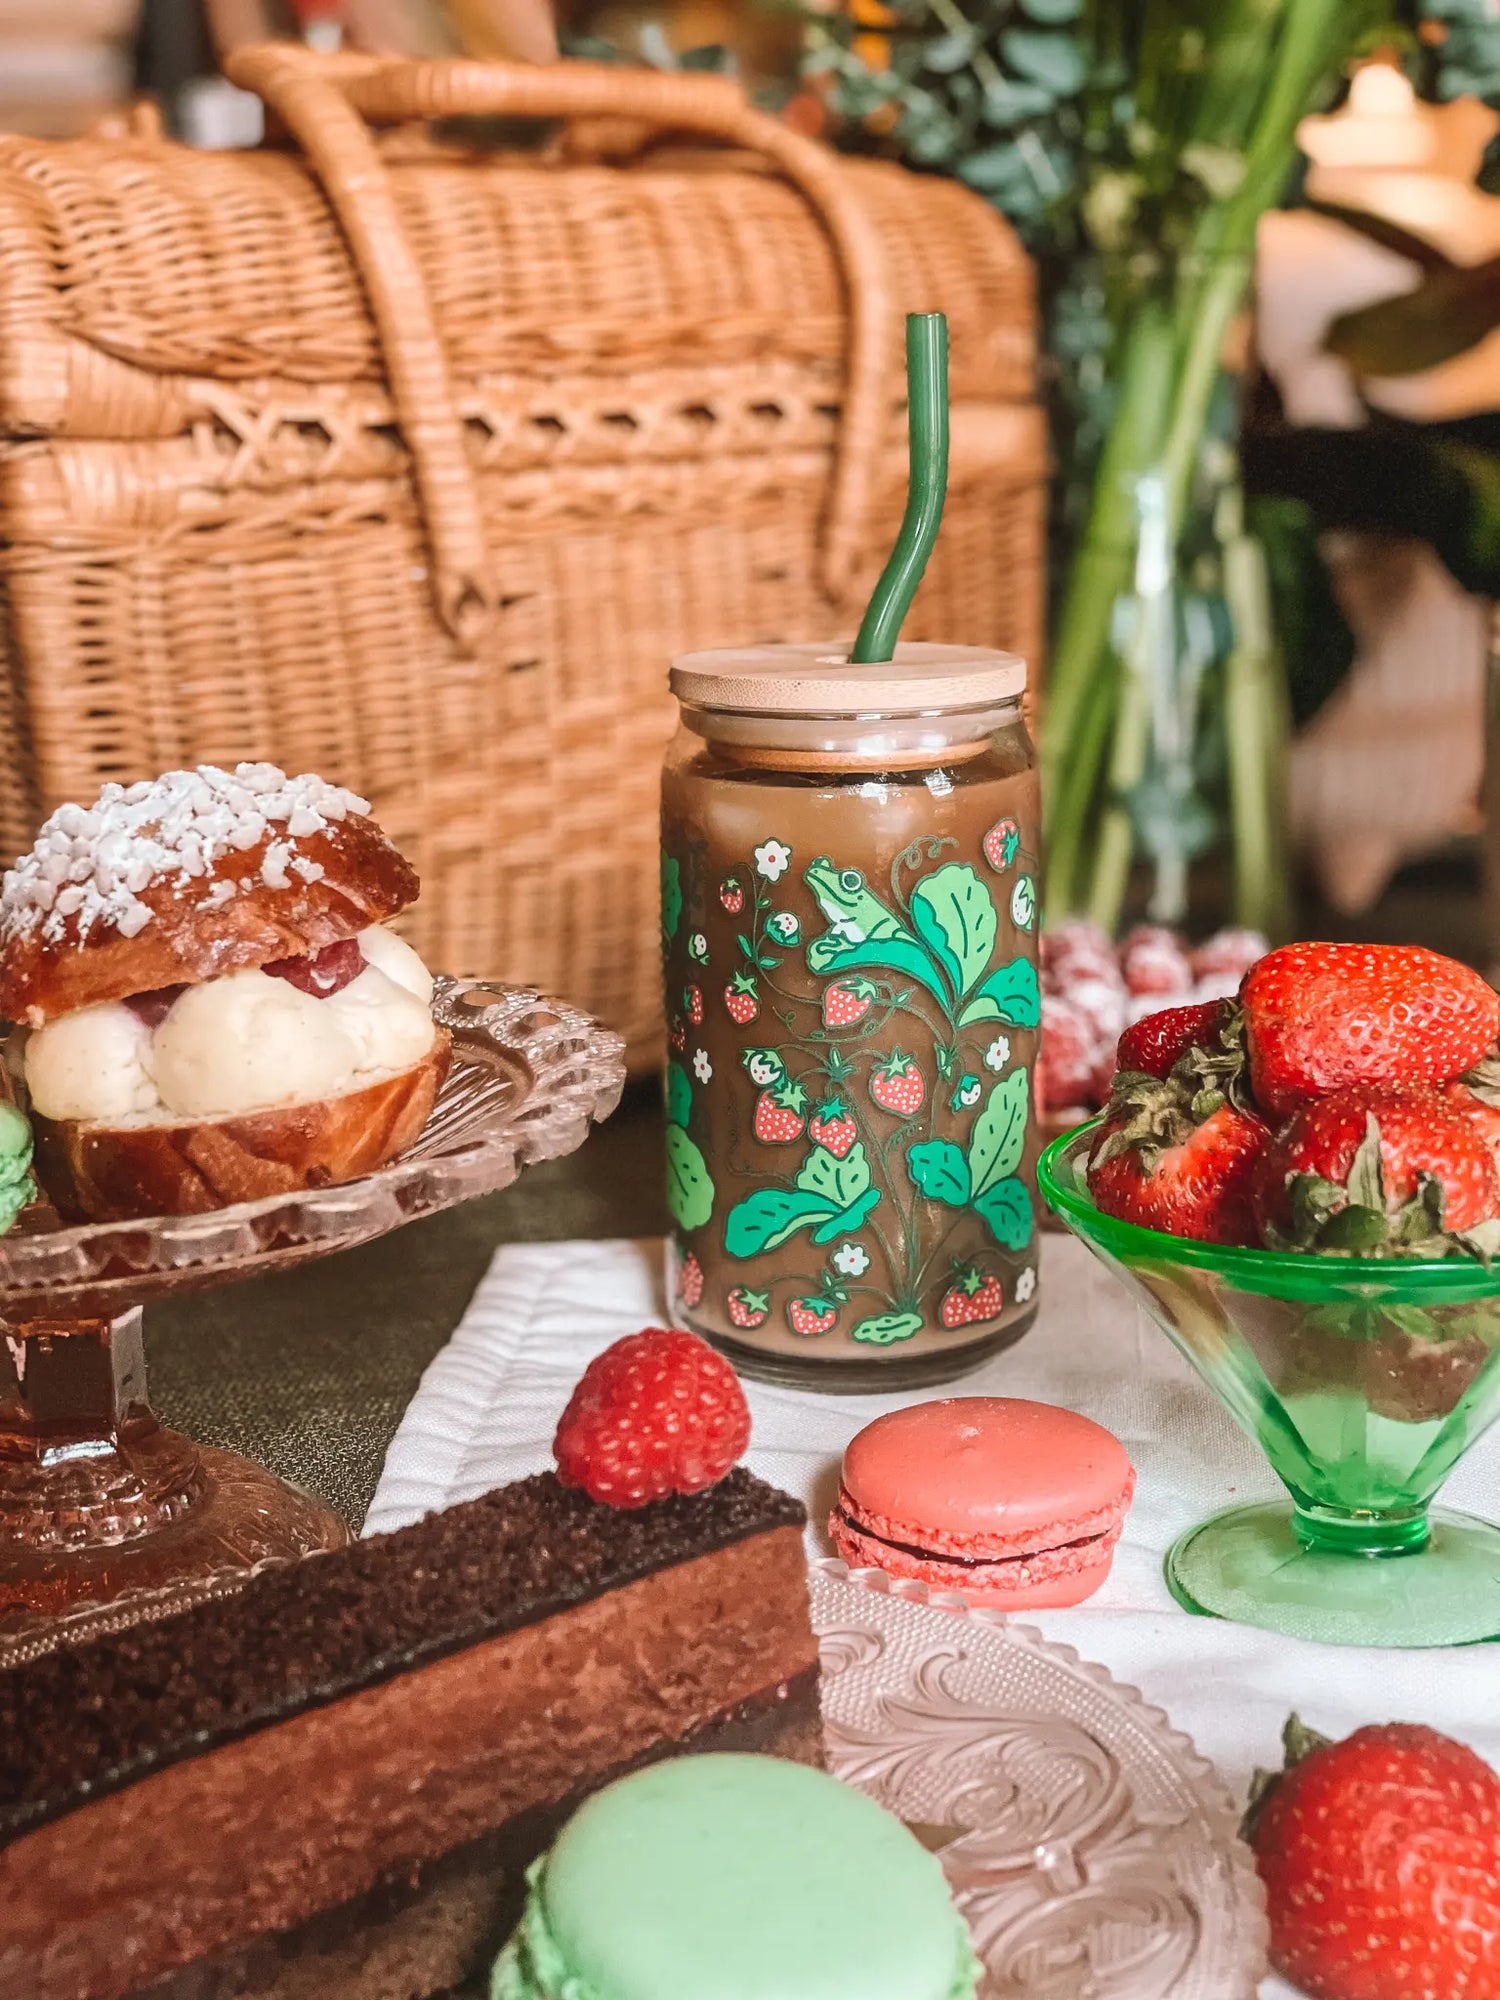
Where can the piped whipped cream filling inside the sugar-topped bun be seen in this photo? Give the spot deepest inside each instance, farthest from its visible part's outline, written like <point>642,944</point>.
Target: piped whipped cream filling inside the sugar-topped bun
<point>235,1045</point>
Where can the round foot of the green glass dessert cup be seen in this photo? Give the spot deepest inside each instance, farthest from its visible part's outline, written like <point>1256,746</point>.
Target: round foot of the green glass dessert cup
<point>1251,1565</point>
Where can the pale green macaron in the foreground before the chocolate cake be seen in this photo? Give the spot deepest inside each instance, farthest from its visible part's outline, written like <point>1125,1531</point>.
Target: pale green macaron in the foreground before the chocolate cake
<point>737,1879</point>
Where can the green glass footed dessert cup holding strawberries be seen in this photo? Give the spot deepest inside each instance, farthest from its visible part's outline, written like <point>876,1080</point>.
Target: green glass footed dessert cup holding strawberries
<point>1363,1381</point>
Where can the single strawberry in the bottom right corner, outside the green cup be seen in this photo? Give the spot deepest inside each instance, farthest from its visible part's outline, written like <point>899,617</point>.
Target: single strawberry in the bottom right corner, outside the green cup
<point>1379,1859</point>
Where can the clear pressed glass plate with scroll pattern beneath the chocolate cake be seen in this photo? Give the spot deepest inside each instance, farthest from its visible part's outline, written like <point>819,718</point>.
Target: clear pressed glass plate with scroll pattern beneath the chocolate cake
<point>1091,1849</point>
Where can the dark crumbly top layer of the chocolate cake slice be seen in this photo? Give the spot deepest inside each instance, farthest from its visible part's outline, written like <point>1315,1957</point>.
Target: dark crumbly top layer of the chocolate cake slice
<point>97,1717</point>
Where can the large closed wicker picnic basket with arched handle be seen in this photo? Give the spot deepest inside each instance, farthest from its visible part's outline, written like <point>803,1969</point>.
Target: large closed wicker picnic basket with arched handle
<point>413,463</point>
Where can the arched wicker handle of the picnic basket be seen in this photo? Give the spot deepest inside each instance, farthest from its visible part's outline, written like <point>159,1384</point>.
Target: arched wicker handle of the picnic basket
<point>331,101</point>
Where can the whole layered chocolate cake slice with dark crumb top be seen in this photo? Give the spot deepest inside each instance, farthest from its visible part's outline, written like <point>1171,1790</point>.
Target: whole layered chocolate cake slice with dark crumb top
<point>329,1785</point>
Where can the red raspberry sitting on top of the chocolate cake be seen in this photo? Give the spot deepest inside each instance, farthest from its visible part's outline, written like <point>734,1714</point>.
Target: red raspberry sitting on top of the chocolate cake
<point>659,1413</point>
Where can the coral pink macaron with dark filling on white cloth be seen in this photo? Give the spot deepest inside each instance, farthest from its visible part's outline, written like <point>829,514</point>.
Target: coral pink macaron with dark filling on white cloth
<point>1017,1505</point>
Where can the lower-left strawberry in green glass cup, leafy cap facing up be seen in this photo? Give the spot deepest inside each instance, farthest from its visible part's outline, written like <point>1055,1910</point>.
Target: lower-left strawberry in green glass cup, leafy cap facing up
<point>1177,1161</point>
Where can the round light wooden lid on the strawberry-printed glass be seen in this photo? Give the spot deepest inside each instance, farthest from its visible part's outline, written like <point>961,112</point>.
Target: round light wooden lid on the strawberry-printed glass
<point>817,681</point>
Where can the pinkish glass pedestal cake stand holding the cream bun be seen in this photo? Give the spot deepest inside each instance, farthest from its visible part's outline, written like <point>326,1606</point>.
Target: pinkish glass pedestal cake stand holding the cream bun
<point>105,1515</point>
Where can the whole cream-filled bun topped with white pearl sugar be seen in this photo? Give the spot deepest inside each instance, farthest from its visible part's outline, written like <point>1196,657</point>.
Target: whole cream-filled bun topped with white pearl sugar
<point>211,1003</point>
